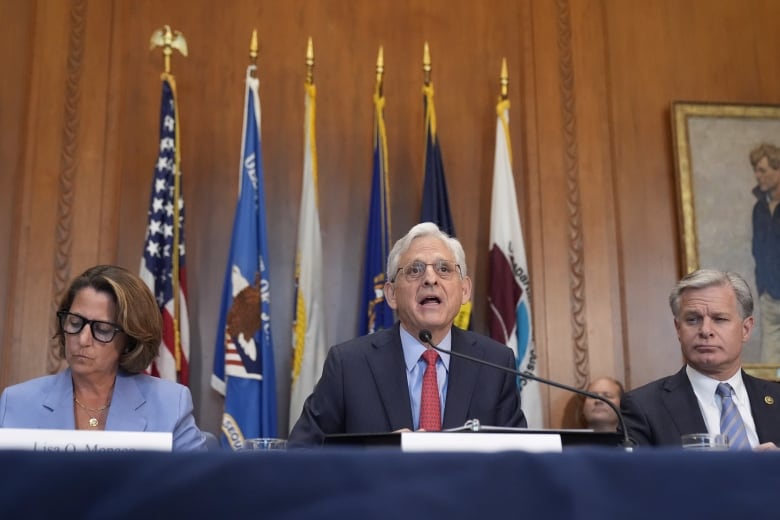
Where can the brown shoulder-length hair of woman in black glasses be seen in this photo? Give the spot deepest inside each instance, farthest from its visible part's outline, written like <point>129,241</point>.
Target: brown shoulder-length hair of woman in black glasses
<point>137,313</point>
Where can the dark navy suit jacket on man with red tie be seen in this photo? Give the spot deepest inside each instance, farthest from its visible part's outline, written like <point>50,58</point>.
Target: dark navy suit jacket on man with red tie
<point>363,388</point>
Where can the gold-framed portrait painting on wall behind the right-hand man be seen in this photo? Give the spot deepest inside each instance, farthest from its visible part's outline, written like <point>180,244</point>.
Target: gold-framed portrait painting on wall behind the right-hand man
<point>718,189</point>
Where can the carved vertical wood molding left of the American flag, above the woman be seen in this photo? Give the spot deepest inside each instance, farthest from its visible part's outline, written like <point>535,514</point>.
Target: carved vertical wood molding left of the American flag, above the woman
<point>67,171</point>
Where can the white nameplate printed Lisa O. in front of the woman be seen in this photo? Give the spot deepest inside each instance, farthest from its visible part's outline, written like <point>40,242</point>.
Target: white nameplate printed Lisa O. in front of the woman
<point>83,440</point>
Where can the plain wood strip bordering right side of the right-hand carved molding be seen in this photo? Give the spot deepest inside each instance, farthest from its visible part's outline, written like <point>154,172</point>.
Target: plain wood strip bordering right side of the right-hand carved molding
<point>594,140</point>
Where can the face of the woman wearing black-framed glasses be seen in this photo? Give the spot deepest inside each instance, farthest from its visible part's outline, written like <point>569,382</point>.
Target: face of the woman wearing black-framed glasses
<point>85,355</point>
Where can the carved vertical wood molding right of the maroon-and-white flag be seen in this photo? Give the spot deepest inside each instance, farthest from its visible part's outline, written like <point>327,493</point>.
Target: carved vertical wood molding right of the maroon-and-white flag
<point>573,200</point>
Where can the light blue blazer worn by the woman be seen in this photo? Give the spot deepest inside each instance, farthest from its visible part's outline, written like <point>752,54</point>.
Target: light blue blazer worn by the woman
<point>139,403</point>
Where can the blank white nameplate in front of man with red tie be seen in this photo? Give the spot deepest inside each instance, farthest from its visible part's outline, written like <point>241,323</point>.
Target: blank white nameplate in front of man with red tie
<point>483,442</point>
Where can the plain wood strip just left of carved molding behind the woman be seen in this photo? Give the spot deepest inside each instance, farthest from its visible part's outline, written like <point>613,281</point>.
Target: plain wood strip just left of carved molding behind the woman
<point>30,288</point>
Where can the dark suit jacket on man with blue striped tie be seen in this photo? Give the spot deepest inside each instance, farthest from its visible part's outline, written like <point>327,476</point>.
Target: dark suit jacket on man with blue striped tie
<point>660,412</point>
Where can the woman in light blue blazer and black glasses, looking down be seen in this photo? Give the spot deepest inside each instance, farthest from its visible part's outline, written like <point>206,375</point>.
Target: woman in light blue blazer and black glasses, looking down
<point>109,329</point>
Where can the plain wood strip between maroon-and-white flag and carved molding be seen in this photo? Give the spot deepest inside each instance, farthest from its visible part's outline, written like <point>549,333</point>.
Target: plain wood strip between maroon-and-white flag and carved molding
<point>552,304</point>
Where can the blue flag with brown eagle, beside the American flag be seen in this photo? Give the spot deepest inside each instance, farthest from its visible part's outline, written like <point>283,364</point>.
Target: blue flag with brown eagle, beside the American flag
<point>243,358</point>
